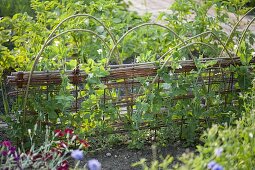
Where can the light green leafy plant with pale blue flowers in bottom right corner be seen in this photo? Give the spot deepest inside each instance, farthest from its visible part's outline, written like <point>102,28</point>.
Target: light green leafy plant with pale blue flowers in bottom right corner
<point>225,147</point>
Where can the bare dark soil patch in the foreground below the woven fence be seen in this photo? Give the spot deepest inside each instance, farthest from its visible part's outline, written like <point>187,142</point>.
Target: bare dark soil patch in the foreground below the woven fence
<point>122,158</point>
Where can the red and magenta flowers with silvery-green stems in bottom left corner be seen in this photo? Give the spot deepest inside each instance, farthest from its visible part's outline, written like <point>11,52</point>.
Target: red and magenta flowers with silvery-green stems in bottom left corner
<point>53,154</point>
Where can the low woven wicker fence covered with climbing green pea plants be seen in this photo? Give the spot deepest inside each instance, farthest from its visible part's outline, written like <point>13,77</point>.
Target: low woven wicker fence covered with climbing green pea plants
<point>142,95</point>
